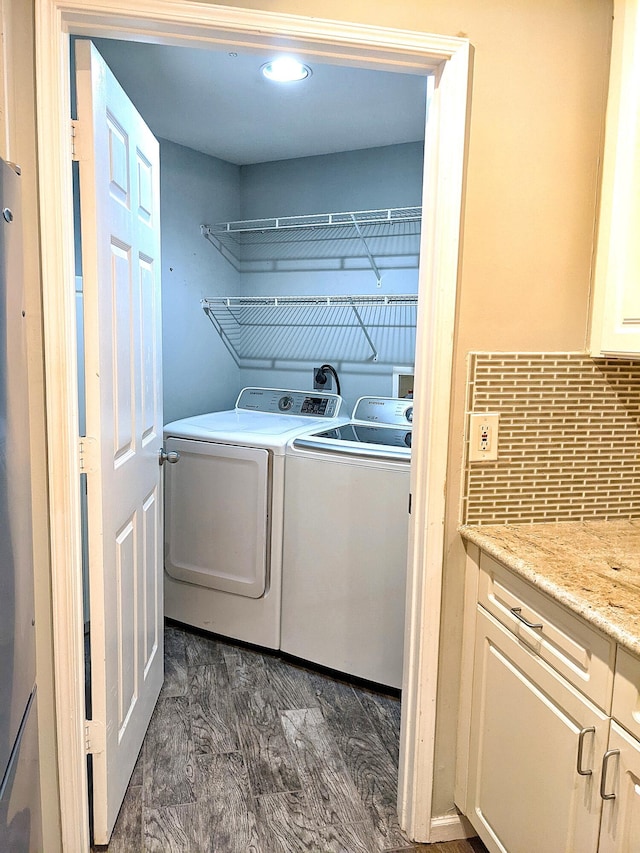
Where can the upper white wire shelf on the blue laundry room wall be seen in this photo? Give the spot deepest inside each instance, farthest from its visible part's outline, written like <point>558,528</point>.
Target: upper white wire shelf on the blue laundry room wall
<point>378,239</point>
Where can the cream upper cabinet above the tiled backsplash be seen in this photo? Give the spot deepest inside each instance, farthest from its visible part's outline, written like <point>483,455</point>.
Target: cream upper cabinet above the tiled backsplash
<point>615,323</point>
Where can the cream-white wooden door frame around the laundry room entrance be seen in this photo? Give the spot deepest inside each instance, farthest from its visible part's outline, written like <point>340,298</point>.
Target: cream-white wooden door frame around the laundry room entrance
<point>184,22</point>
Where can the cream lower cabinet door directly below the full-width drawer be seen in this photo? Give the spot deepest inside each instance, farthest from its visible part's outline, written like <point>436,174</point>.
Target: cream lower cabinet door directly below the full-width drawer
<point>525,792</point>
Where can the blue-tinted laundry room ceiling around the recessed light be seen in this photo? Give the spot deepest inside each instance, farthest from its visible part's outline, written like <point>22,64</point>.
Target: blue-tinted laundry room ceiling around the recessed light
<point>219,103</point>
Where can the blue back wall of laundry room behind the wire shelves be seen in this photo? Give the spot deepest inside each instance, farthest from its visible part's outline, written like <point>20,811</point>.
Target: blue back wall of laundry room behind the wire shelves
<point>349,181</point>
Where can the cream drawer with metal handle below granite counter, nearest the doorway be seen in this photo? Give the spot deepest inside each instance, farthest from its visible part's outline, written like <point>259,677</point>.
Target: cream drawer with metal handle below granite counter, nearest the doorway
<point>576,650</point>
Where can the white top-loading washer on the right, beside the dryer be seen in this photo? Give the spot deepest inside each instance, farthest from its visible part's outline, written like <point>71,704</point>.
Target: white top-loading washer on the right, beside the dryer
<point>345,542</point>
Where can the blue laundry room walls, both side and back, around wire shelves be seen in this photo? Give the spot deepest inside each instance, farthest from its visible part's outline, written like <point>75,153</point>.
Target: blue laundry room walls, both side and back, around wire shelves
<point>199,373</point>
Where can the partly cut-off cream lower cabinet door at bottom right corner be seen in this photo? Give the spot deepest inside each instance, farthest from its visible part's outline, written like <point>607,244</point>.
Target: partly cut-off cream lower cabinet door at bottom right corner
<point>620,831</point>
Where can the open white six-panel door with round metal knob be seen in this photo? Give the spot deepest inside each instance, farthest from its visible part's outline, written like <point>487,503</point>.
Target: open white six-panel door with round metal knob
<point>120,228</point>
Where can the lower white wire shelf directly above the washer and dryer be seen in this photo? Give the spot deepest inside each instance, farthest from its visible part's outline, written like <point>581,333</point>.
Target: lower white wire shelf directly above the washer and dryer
<point>266,330</point>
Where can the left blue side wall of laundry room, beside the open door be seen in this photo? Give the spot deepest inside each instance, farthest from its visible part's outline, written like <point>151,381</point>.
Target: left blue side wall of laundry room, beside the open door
<point>195,189</point>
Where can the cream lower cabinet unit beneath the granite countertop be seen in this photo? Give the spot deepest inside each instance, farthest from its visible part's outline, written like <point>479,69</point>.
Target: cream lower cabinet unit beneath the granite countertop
<point>548,768</point>
